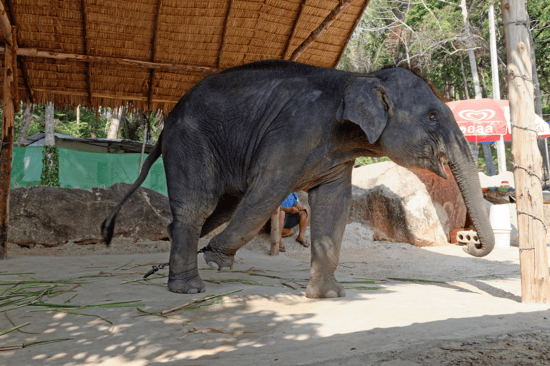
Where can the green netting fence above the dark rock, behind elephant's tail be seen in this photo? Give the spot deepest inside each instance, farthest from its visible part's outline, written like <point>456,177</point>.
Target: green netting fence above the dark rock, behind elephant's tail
<point>79,169</point>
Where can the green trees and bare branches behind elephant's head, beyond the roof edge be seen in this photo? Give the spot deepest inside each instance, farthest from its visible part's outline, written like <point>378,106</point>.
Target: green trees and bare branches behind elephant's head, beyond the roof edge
<point>430,35</point>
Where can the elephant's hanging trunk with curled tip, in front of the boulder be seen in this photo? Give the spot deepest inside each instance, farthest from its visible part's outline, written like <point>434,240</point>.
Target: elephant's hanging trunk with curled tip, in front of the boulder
<point>464,169</point>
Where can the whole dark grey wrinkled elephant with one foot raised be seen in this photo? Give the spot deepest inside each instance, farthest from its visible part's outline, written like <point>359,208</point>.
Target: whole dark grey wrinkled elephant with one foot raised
<point>239,142</point>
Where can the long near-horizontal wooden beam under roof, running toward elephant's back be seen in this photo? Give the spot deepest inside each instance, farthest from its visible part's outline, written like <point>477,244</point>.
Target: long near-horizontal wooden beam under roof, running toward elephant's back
<point>33,52</point>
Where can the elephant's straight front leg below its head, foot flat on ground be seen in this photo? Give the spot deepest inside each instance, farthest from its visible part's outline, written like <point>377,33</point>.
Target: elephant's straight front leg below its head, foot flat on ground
<point>330,205</point>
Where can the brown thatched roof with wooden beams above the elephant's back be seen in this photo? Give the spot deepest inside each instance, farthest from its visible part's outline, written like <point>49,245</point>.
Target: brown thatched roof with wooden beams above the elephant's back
<point>151,52</point>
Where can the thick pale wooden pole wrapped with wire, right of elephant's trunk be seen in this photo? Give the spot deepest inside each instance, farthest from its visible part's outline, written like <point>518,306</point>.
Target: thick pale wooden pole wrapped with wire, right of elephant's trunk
<point>535,285</point>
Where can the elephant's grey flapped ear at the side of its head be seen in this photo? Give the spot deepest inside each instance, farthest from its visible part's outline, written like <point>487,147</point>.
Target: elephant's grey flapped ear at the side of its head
<point>366,104</point>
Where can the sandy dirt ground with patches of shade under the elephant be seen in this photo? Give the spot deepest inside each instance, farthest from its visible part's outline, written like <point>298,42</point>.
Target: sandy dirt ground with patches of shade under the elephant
<point>466,311</point>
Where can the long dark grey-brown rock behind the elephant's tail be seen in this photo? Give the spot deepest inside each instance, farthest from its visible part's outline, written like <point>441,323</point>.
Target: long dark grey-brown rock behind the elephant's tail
<point>54,216</point>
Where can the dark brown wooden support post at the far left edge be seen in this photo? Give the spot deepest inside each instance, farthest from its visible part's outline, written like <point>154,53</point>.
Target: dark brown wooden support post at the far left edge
<point>6,154</point>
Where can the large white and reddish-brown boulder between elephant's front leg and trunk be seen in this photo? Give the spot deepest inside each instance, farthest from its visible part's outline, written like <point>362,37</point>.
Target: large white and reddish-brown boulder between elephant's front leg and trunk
<point>409,206</point>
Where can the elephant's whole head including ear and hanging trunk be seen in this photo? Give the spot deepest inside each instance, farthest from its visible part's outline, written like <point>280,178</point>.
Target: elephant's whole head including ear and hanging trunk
<point>415,128</point>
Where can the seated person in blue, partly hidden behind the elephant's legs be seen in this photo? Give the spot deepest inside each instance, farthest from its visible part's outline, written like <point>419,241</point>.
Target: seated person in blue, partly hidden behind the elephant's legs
<point>292,213</point>
